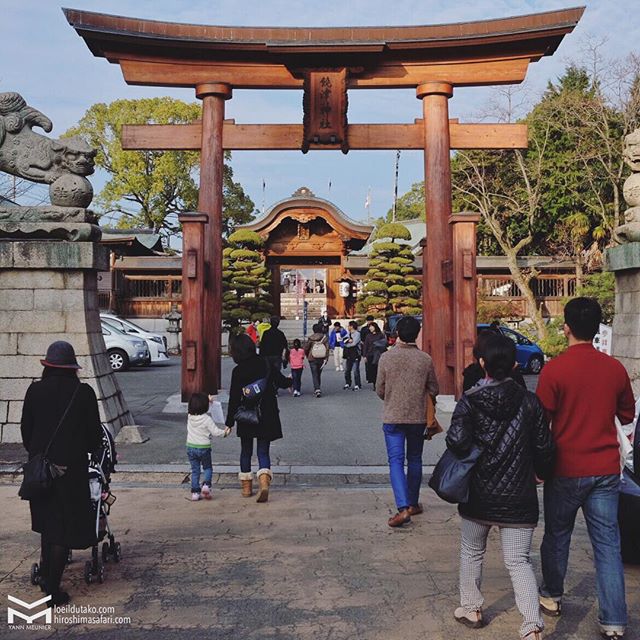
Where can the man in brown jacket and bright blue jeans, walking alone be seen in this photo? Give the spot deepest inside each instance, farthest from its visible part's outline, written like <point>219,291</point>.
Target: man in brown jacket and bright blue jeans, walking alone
<point>406,377</point>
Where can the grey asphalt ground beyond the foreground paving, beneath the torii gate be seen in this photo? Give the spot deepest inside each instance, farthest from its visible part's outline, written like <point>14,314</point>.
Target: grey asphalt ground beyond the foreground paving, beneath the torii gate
<point>342,428</point>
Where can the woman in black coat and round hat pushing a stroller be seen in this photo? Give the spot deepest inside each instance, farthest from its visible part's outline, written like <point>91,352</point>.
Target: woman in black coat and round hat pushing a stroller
<point>64,519</point>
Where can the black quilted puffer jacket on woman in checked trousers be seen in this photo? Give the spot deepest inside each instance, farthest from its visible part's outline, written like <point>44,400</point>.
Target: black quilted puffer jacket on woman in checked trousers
<point>507,422</point>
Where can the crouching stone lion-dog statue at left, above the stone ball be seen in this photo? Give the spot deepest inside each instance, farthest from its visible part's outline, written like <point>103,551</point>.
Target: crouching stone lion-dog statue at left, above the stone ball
<point>27,154</point>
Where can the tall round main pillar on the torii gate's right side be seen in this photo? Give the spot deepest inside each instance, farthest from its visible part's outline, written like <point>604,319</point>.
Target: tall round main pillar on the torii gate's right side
<point>437,267</point>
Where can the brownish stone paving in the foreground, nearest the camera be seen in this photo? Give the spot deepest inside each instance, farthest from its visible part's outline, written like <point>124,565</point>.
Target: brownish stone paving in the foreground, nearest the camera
<point>310,564</point>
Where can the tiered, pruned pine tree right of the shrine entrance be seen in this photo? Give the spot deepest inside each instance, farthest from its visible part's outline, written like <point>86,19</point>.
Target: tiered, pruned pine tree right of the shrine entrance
<point>390,287</point>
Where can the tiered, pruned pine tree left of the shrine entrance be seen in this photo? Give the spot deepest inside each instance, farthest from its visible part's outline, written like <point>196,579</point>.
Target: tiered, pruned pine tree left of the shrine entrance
<point>245,280</point>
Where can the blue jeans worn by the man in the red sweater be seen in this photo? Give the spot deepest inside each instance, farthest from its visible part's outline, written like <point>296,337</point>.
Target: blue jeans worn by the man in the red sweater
<point>597,496</point>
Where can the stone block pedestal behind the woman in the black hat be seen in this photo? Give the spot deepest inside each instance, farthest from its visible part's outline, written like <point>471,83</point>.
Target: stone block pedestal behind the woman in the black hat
<point>48,292</point>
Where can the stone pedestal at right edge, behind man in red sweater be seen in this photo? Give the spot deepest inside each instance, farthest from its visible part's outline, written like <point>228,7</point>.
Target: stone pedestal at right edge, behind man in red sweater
<point>624,261</point>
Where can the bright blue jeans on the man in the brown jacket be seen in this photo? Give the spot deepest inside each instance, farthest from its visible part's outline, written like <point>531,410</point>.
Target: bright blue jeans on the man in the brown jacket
<point>406,488</point>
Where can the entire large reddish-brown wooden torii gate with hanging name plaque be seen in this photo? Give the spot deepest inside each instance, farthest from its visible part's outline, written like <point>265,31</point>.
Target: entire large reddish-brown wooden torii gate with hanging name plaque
<point>325,63</point>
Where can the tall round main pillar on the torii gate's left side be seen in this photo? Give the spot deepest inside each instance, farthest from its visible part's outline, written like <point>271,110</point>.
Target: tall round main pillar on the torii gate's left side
<point>213,96</point>
